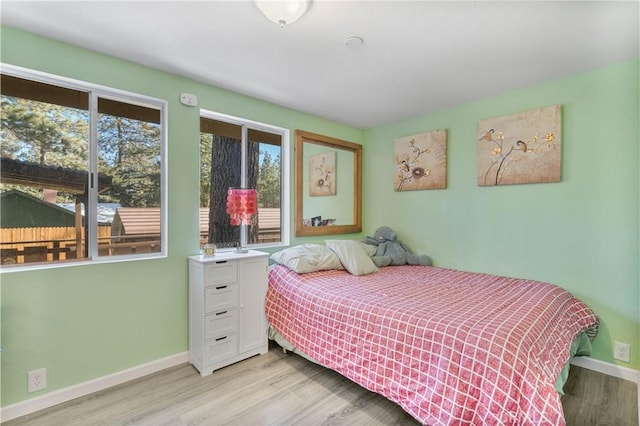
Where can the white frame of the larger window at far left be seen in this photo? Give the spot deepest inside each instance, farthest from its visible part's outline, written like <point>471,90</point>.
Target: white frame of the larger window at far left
<point>95,92</point>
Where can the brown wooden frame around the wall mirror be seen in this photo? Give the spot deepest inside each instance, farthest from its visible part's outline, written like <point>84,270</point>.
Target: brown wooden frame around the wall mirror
<point>356,149</point>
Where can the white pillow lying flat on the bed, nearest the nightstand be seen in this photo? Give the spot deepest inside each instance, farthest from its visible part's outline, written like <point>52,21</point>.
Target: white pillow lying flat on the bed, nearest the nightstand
<point>307,258</point>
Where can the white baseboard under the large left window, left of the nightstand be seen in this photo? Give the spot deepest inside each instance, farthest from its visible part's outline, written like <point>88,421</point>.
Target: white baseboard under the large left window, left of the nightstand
<point>32,405</point>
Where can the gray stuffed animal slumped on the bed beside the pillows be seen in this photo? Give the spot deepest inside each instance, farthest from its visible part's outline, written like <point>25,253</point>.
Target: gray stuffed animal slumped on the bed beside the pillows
<point>392,251</point>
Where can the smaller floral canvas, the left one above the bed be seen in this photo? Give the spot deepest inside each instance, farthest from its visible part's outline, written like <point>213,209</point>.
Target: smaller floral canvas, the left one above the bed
<point>421,161</point>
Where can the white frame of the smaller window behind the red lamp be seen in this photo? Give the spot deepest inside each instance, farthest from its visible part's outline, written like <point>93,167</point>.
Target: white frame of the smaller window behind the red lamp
<point>246,125</point>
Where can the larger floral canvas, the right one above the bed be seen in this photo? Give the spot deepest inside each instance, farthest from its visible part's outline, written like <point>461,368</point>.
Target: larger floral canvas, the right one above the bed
<point>520,148</point>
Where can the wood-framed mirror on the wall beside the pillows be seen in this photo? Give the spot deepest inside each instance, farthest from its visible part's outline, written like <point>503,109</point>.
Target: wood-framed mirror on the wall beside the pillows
<point>328,185</point>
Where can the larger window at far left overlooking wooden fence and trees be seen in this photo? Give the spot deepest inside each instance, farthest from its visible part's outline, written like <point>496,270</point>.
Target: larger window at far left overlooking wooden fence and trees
<point>82,171</point>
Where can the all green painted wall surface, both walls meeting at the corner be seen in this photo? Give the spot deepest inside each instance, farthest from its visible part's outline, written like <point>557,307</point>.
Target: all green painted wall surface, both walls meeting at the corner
<point>84,322</point>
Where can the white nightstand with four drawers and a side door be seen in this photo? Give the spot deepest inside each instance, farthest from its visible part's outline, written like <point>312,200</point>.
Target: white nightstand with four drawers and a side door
<point>227,322</point>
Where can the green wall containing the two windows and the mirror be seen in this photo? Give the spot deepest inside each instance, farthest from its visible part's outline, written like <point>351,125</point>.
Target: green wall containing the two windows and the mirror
<point>85,322</point>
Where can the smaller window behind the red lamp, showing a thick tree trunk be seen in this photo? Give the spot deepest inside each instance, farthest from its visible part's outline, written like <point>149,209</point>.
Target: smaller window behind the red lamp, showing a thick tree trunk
<point>240,153</point>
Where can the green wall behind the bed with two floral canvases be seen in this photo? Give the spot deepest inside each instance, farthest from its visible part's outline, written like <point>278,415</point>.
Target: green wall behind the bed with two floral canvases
<point>580,233</point>
